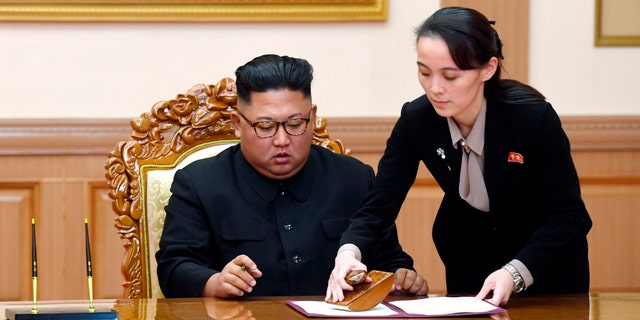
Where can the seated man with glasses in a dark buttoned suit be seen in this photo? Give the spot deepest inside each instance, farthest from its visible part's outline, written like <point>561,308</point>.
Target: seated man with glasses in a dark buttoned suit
<point>264,217</point>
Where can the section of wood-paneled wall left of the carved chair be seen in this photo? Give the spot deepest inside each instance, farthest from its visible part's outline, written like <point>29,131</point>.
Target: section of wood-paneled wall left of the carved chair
<point>53,171</point>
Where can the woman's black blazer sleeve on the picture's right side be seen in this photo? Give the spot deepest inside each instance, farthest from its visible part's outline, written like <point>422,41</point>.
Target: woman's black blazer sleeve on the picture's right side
<point>566,221</point>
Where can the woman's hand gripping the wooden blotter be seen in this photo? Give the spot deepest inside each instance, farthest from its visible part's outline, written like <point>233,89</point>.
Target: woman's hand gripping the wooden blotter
<point>345,262</point>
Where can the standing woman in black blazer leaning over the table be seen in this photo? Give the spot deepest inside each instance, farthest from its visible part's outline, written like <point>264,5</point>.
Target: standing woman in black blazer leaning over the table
<point>512,217</point>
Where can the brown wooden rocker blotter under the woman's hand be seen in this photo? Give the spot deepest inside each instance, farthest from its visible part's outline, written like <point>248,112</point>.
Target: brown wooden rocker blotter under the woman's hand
<point>368,295</point>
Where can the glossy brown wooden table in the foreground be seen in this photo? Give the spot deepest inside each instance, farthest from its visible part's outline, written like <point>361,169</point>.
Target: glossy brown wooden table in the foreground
<point>592,306</point>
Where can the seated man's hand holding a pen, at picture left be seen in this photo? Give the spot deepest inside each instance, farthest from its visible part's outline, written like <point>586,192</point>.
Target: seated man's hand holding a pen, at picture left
<point>237,277</point>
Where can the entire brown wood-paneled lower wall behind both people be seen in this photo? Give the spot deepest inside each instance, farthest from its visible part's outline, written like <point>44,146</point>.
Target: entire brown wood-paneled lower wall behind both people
<point>53,171</point>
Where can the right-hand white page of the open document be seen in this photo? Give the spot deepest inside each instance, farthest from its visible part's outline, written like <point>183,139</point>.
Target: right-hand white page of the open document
<point>444,305</point>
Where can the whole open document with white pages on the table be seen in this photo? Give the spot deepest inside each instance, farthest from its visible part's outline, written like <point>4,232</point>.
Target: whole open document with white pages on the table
<point>425,307</point>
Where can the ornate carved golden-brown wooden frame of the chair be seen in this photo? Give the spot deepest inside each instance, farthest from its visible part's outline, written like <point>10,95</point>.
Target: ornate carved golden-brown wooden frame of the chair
<point>159,138</point>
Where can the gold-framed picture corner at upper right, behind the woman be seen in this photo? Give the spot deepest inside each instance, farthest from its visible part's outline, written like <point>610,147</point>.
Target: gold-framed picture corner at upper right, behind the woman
<point>616,23</point>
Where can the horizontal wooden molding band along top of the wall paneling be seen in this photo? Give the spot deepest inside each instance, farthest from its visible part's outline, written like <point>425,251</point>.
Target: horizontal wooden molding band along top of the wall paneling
<point>99,136</point>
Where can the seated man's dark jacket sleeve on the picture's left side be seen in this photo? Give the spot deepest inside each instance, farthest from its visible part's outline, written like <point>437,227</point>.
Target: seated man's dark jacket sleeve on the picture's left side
<point>183,266</point>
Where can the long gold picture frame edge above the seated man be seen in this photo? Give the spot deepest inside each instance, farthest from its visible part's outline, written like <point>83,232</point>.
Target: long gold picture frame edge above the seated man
<point>194,11</point>
